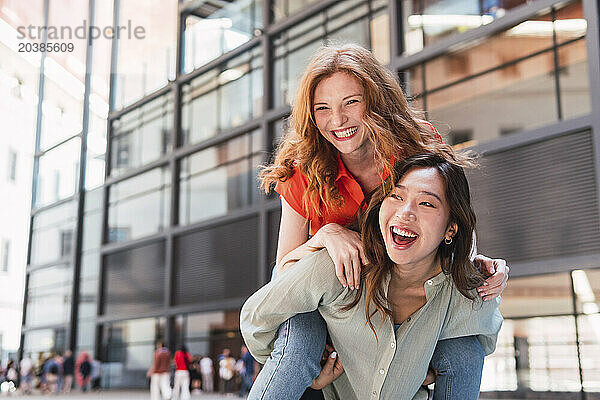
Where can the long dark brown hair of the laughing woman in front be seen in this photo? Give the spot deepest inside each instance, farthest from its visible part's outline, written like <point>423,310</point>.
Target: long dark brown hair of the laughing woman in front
<point>454,258</point>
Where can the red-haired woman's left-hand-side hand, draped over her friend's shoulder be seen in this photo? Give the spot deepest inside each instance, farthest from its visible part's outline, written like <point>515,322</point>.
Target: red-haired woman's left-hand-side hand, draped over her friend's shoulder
<point>346,250</point>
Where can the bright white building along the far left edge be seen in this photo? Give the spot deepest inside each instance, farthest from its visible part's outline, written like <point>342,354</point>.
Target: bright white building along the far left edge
<point>19,77</point>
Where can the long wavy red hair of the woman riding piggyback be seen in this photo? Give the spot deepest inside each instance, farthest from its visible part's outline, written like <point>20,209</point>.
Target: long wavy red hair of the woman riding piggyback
<point>393,128</point>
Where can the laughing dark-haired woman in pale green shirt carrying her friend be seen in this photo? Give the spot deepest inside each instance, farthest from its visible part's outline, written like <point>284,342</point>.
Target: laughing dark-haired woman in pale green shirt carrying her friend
<point>418,288</point>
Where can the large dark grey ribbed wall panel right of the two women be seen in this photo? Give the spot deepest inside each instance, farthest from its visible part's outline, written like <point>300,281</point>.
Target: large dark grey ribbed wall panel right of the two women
<point>538,201</point>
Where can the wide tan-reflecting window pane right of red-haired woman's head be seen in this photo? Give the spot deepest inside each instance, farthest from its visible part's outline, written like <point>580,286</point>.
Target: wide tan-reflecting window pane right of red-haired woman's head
<point>482,104</point>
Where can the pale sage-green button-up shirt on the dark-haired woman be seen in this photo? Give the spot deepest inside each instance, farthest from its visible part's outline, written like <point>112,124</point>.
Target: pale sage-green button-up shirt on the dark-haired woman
<point>392,367</point>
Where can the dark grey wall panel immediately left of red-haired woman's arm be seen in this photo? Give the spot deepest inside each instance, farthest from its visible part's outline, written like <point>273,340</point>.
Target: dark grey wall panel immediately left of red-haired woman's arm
<point>217,263</point>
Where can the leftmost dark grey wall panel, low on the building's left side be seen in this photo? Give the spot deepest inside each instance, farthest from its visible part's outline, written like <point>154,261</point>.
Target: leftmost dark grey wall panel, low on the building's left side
<point>134,280</point>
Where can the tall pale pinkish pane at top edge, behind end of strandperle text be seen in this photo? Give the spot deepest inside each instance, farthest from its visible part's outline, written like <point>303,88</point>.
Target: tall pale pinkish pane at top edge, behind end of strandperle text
<point>147,50</point>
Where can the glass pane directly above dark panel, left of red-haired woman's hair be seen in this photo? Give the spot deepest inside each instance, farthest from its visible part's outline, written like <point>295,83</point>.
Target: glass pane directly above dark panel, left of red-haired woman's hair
<point>220,179</point>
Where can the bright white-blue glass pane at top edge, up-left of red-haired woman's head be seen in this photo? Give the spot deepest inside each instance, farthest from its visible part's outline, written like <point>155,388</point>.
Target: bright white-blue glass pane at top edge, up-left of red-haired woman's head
<point>215,29</point>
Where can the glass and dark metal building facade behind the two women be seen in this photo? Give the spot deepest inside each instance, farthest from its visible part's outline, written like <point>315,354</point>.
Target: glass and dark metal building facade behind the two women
<point>147,221</point>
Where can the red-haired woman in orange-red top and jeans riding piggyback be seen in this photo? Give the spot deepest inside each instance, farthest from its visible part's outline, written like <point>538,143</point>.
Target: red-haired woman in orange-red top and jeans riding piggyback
<point>350,123</point>
